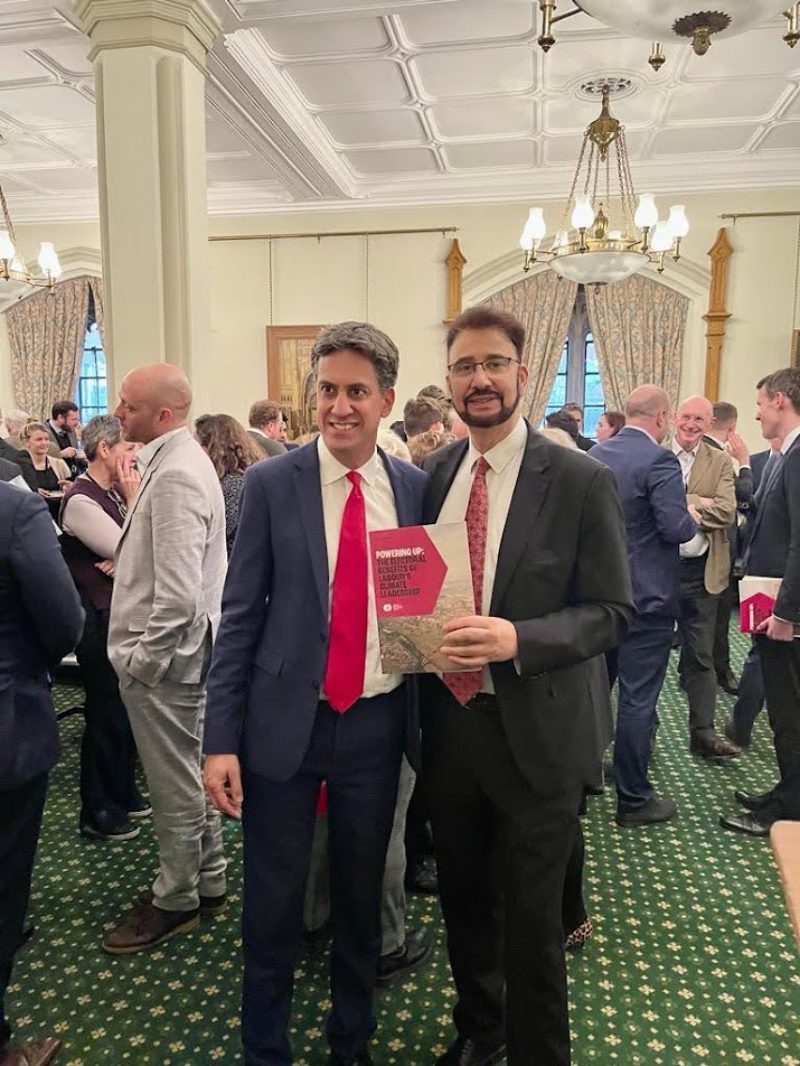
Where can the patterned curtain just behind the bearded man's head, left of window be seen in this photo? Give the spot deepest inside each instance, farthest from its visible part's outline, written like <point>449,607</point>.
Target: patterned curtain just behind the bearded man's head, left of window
<point>545,304</point>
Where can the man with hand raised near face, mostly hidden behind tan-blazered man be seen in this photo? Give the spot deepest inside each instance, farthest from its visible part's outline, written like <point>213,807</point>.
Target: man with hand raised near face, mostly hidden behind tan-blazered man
<point>723,437</point>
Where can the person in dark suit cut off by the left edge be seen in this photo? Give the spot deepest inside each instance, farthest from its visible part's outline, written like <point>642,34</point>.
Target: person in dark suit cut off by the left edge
<point>41,621</point>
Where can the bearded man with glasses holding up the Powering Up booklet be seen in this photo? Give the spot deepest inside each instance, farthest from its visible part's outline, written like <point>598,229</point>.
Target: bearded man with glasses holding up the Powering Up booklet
<point>510,745</point>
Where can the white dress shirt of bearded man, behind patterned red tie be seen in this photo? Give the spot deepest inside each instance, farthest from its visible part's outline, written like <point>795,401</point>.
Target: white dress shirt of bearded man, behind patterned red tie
<point>505,461</point>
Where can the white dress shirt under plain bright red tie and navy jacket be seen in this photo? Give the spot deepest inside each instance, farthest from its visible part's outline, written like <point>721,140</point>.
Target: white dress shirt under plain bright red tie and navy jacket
<point>381,513</point>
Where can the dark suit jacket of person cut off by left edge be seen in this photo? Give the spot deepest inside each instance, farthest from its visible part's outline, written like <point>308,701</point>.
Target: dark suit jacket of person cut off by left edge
<point>41,621</point>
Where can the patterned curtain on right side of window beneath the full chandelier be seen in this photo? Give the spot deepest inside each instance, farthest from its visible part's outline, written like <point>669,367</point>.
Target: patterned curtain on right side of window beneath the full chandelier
<point>638,328</point>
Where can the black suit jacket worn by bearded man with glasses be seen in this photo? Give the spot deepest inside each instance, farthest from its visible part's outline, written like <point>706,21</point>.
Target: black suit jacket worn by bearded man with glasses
<point>563,578</point>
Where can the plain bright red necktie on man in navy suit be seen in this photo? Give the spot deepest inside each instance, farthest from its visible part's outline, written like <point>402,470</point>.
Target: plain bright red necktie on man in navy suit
<point>347,645</point>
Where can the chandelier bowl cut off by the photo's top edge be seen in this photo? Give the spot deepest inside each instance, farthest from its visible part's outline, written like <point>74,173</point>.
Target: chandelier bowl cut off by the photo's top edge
<point>671,21</point>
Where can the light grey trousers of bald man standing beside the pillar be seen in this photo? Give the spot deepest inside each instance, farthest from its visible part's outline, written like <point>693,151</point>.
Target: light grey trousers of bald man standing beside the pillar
<point>167,722</point>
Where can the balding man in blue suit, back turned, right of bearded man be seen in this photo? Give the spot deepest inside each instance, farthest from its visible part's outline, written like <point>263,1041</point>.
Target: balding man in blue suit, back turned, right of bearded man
<point>658,520</point>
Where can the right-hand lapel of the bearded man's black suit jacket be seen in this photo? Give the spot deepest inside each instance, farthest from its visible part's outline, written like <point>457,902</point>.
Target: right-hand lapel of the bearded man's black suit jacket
<point>532,489</point>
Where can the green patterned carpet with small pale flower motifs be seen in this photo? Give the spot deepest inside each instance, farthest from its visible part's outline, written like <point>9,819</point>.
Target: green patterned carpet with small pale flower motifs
<point>693,961</point>
